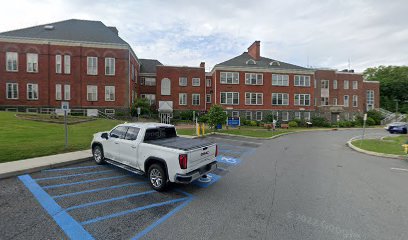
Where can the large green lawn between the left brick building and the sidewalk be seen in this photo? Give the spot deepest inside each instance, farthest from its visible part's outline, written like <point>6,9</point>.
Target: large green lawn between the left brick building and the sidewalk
<point>22,139</point>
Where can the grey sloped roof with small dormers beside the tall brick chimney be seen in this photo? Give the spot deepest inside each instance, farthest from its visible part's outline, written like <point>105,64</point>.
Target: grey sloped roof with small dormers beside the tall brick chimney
<point>245,60</point>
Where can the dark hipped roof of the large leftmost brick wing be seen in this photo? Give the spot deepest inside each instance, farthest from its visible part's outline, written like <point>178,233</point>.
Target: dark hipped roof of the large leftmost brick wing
<point>70,30</point>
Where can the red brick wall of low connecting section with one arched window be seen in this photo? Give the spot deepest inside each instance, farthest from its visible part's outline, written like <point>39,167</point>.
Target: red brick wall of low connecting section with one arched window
<point>174,73</point>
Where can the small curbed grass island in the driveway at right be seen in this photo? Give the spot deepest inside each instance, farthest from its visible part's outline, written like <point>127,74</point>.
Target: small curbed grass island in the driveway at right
<point>391,145</point>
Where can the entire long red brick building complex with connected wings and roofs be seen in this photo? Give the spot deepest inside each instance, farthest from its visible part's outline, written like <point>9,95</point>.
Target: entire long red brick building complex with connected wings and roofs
<point>89,65</point>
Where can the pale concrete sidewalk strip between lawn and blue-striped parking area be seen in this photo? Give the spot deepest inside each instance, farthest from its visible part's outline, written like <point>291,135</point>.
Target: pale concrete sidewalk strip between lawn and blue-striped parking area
<point>15,168</point>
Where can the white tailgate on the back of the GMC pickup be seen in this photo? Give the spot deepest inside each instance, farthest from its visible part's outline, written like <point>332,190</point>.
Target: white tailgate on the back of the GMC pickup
<point>199,156</point>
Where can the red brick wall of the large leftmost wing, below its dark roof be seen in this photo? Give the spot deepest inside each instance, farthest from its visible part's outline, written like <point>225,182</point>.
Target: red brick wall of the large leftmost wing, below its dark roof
<point>78,79</point>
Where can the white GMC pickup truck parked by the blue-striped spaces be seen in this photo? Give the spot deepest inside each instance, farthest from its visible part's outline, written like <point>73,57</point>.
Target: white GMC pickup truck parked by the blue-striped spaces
<point>156,150</point>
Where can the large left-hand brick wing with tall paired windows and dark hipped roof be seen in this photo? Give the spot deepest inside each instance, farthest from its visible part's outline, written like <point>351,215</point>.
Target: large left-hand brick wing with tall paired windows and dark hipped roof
<point>83,62</point>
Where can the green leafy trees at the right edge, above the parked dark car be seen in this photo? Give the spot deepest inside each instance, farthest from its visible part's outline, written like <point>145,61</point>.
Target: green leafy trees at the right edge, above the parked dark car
<point>393,85</point>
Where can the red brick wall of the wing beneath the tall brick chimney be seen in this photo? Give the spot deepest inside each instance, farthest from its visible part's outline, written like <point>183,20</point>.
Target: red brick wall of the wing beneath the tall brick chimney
<point>267,89</point>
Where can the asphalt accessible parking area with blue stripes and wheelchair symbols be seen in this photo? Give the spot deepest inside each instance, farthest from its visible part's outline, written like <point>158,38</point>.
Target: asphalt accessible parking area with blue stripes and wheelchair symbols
<point>88,201</point>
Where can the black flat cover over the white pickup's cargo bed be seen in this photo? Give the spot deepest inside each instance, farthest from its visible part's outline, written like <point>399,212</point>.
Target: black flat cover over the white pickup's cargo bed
<point>181,143</point>
